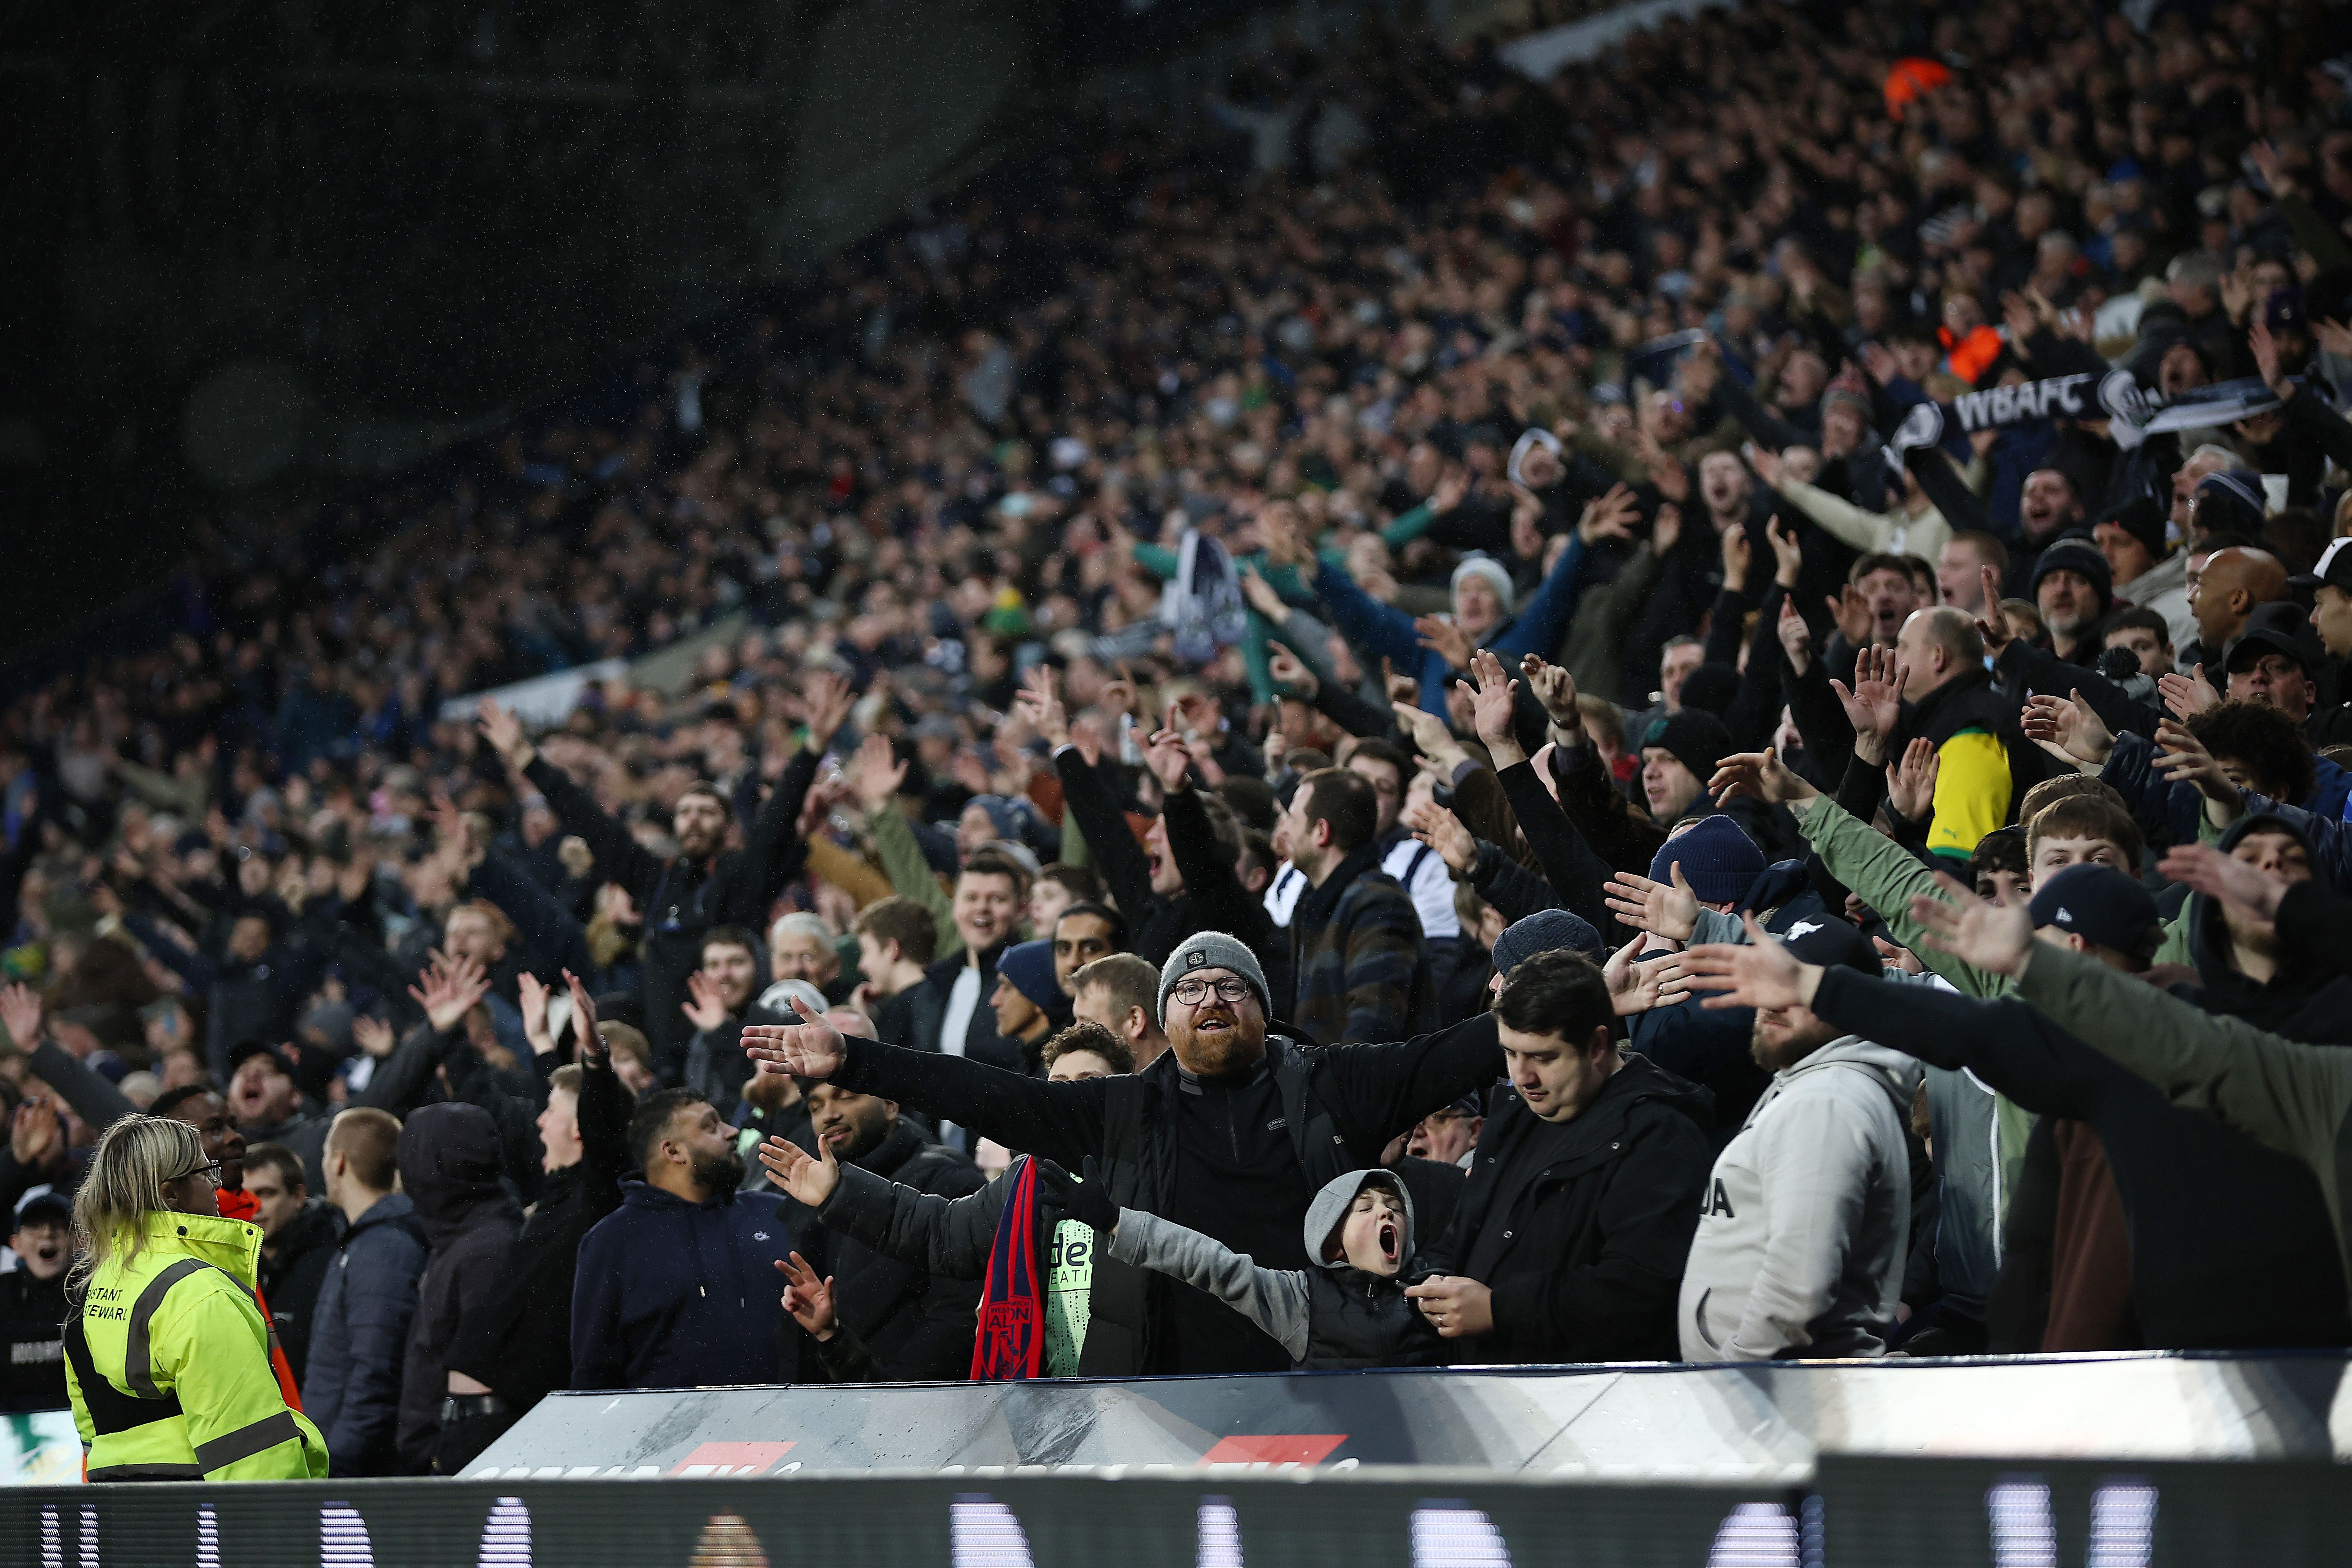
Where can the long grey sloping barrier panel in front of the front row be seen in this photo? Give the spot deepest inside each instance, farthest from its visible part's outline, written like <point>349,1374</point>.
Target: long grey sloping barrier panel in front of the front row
<point>1735,1426</point>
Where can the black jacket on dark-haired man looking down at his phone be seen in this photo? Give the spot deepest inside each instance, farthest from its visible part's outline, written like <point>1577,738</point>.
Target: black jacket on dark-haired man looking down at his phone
<point>1582,1228</point>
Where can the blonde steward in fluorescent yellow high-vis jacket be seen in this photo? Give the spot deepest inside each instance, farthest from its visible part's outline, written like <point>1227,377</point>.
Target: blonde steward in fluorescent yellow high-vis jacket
<point>168,1355</point>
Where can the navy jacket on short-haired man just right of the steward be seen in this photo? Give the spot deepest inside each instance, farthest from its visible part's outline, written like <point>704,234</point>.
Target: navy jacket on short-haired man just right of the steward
<point>359,1334</point>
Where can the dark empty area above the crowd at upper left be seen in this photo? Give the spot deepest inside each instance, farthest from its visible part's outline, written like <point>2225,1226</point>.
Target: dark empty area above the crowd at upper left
<point>258,253</point>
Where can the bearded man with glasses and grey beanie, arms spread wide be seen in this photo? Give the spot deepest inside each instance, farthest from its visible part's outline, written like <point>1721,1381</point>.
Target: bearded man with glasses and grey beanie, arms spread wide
<point>1231,1134</point>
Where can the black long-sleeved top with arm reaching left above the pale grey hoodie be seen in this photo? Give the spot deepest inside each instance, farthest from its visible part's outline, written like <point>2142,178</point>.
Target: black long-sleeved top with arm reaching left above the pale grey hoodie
<point>2229,1240</point>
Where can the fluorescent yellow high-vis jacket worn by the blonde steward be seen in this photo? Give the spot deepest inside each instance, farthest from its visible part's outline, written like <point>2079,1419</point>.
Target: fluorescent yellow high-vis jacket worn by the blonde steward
<point>168,1362</point>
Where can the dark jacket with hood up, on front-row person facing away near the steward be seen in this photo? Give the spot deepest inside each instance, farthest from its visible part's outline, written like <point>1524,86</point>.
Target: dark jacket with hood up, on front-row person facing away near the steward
<point>450,1172</point>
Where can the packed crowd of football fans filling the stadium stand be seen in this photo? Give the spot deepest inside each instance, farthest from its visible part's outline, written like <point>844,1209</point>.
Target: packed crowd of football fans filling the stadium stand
<point>1692,711</point>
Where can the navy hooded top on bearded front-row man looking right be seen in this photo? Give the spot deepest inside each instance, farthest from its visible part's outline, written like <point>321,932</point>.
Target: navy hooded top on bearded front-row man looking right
<point>676,1296</point>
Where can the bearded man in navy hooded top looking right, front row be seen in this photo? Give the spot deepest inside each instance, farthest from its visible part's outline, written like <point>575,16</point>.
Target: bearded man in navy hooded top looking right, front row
<point>676,1287</point>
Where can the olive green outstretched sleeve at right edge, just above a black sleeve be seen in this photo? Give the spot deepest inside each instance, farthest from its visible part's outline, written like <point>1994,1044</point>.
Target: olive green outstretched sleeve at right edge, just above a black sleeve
<point>2278,1092</point>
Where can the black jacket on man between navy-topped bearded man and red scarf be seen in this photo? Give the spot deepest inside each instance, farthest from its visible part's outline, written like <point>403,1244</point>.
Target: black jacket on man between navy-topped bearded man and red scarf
<point>914,1325</point>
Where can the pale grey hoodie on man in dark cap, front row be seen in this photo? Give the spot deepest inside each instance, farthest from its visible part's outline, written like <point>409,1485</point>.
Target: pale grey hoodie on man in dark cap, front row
<point>1805,1221</point>
